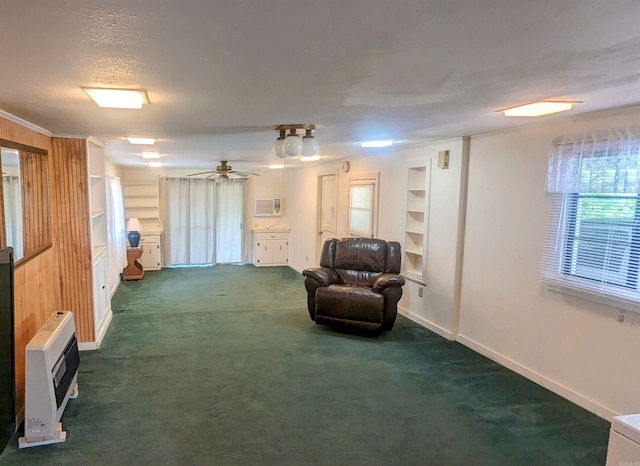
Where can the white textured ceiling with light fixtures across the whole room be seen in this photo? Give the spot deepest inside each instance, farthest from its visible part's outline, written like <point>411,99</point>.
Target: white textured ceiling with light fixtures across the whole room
<point>221,73</point>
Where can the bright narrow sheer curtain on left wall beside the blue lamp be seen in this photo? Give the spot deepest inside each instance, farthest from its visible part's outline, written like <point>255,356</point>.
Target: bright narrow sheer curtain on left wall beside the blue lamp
<point>117,243</point>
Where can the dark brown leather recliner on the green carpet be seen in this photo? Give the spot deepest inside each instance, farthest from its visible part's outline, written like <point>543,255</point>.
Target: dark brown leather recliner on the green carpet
<point>357,284</point>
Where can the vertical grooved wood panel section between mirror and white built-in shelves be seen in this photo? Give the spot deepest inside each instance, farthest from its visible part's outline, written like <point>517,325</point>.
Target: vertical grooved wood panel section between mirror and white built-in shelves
<point>71,224</point>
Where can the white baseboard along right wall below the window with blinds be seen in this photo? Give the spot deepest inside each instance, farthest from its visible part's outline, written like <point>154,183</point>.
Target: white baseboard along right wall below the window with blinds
<point>540,379</point>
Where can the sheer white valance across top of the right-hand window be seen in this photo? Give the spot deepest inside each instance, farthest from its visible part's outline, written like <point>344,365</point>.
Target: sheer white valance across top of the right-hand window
<point>595,163</point>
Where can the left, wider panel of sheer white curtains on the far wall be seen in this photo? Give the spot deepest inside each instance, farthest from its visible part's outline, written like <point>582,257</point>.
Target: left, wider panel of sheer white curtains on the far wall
<point>189,211</point>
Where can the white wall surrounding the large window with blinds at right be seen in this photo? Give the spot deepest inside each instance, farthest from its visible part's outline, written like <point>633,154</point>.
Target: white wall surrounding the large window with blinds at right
<point>573,346</point>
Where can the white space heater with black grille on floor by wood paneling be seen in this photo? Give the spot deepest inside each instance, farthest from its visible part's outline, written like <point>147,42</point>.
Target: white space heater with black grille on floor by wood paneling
<point>51,375</point>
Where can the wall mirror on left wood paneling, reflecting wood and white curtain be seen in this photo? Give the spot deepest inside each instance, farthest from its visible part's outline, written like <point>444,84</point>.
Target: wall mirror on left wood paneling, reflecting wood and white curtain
<point>25,193</point>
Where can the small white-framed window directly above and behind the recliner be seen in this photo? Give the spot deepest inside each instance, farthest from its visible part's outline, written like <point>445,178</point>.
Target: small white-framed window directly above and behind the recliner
<point>363,206</point>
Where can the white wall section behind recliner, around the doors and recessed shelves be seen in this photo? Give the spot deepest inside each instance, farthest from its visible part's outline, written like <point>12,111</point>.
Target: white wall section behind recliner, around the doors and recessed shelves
<point>438,308</point>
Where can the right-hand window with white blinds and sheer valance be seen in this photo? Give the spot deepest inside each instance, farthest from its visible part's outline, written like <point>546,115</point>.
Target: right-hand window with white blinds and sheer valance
<point>593,241</point>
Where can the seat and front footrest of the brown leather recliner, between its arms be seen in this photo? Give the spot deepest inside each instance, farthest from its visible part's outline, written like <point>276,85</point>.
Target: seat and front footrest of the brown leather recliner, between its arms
<point>354,303</point>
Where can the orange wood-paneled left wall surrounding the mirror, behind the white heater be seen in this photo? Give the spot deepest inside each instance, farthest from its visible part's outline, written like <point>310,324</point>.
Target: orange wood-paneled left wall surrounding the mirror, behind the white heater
<point>35,290</point>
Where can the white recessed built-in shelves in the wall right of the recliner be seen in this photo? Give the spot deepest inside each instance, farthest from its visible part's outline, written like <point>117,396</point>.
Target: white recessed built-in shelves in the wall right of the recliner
<point>415,228</point>
